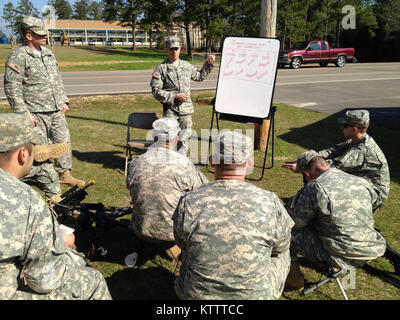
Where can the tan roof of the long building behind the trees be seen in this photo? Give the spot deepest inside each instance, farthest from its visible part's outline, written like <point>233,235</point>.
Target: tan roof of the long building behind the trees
<point>85,24</point>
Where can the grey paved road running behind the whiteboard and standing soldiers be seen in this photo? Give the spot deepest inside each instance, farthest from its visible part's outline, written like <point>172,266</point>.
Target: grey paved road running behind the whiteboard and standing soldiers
<point>325,90</point>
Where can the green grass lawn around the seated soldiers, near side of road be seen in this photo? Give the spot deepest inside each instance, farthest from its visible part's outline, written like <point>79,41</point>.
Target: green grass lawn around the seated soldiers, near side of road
<point>98,130</point>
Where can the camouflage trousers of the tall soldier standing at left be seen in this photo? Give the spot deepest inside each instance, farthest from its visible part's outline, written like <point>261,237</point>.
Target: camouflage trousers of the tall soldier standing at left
<point>54,128</point>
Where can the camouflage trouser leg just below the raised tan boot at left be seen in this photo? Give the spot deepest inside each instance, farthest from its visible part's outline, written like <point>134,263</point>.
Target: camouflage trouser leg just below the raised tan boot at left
<point>45,177</point>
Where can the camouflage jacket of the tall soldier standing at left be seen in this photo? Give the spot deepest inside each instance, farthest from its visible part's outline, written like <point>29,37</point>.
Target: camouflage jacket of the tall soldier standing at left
<point>32,81</point>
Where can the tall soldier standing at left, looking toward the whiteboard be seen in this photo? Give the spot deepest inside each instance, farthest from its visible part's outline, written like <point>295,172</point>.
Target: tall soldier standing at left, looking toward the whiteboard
<point>33,86</point>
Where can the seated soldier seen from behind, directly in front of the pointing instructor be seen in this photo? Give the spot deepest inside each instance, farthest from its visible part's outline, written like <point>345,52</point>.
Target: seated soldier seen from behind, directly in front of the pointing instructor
<point>157,180</point>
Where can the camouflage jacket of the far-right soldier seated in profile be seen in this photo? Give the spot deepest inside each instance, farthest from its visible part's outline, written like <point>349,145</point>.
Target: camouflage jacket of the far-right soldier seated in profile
<point>364,159</point>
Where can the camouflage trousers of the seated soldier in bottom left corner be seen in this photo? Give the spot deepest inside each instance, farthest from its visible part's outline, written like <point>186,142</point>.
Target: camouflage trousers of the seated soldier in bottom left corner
<point>85,284</point>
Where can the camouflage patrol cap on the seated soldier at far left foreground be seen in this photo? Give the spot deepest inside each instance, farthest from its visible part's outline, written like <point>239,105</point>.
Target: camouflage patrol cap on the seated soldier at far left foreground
<point>16,130</point>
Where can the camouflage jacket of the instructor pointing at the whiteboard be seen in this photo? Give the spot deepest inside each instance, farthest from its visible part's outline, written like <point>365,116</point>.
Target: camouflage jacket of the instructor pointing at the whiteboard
<point>168,80</point>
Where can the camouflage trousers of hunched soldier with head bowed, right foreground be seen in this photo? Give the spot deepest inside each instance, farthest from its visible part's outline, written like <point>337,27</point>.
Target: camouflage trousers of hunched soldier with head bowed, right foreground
<point>307,242</point>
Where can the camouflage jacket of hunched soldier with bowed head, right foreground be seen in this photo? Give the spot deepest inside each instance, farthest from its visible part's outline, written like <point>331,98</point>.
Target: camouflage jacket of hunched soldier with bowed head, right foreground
<point>338,206</point>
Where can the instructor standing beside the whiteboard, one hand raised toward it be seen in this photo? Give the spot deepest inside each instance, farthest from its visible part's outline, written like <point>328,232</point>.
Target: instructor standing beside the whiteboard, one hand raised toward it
<point>170,85</point>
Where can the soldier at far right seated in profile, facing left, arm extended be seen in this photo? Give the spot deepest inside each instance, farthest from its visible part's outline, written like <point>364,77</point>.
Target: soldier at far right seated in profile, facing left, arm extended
<point>359,155</point>
